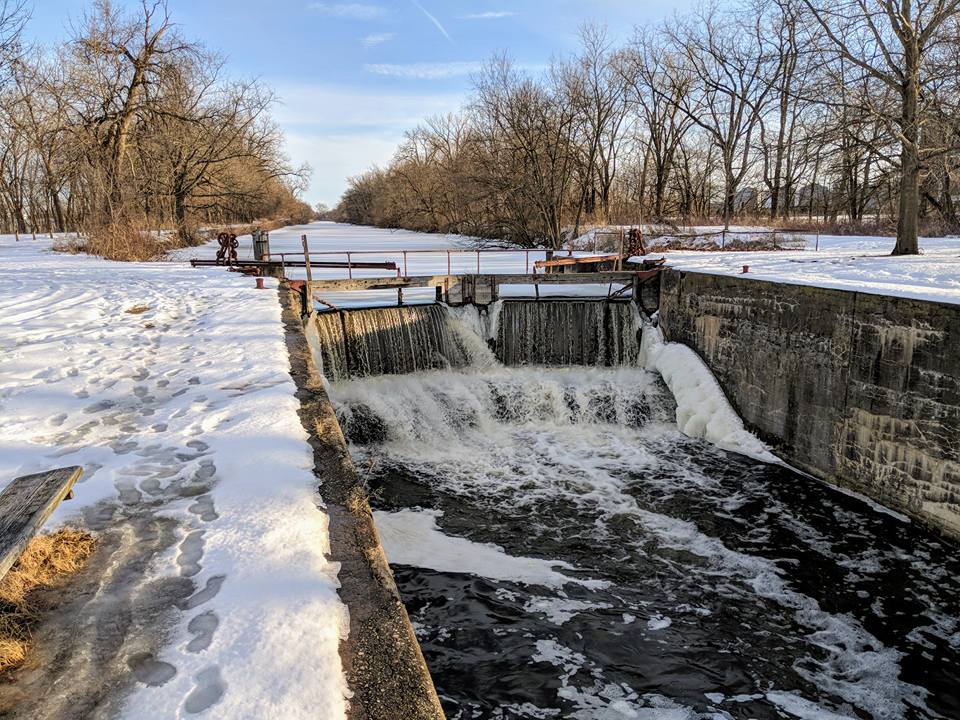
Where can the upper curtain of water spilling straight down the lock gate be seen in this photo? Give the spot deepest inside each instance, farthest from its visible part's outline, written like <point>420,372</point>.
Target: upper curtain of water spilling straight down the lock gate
<point>398,340</point>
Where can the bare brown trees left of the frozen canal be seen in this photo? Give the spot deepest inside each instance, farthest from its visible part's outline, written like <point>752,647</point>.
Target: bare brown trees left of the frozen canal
<point>129,126</point>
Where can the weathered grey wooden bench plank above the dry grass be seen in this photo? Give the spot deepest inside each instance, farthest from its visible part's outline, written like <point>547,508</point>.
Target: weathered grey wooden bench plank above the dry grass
<point>25,505</point>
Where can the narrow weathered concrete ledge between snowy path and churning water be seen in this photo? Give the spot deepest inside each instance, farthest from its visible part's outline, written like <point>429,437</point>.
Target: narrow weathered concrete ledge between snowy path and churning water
<point>382,660</point>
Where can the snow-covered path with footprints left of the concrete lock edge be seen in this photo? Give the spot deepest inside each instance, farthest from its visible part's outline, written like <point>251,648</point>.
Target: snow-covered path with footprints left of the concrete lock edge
<point>212,592</point>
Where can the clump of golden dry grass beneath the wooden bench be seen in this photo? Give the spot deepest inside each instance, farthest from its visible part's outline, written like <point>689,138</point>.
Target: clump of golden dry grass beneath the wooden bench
<point>46,563</point>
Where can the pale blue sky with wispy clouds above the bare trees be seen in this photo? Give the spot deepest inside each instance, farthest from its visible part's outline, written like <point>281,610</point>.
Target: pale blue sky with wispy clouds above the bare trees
<point>352,76</point>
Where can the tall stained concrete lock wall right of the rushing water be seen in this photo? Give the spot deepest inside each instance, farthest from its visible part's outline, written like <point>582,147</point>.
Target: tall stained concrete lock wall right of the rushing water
<point>860,390</point>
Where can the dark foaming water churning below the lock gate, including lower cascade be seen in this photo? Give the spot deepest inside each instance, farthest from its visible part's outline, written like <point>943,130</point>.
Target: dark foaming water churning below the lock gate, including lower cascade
<point>564,551</point>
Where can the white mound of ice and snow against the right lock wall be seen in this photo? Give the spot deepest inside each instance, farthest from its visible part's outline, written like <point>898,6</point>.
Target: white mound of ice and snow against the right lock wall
<point>702,409</point>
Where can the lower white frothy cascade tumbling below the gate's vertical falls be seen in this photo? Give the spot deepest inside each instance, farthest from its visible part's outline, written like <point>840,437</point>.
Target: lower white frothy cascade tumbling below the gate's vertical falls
<point>435,410</point>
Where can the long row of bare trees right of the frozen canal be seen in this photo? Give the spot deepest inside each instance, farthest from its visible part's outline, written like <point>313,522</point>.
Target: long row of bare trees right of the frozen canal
<point>842,112</point>
